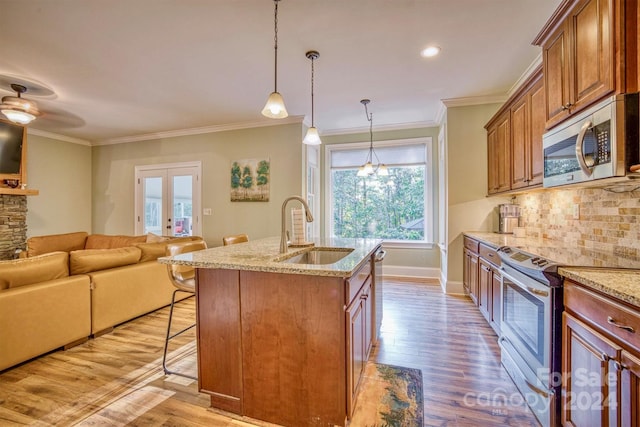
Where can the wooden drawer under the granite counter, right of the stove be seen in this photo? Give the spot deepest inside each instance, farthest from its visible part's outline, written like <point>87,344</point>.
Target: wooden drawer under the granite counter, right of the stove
<point>621,322</point>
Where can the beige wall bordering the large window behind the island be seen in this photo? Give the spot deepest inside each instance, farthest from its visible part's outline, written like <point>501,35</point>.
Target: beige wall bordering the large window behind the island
<point>410,261</point>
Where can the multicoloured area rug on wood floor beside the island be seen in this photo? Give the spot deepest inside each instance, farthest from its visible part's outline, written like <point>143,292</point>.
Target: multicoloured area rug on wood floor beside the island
<point>390,396</point>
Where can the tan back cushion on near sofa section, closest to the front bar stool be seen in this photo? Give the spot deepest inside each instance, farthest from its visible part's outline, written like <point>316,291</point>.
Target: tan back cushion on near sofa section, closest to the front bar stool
<point>88,260</point>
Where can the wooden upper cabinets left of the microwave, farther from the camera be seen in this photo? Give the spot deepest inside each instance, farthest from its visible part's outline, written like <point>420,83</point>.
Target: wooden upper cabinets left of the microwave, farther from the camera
<point>514,139</point>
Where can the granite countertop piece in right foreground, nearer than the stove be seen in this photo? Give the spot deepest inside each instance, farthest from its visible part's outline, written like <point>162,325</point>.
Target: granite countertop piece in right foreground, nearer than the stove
<point>621,284</point>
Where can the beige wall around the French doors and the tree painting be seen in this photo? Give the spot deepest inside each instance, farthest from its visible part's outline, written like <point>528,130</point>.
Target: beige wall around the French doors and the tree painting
<point>113,172</point>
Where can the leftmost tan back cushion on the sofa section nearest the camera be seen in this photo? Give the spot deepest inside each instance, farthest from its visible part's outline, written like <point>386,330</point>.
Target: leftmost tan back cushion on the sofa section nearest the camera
<point>27,271</point>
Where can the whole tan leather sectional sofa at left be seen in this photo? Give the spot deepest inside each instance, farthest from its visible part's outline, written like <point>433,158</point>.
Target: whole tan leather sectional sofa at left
<point>68,287</point>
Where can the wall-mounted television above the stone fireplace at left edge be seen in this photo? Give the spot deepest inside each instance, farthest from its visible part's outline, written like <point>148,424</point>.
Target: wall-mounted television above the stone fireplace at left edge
<point>13,150</point>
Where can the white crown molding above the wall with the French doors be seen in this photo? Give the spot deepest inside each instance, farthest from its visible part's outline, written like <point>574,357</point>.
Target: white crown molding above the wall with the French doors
<point>200,130</point>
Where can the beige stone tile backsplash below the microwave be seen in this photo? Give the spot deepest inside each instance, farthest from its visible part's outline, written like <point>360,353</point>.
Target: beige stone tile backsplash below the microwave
<point>607,220</point>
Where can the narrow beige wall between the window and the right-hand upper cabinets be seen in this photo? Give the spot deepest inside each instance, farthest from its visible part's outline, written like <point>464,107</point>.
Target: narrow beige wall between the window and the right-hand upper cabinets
<point>468,207</point>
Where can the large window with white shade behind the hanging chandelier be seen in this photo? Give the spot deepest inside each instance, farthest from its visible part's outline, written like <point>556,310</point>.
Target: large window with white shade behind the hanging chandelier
<point>396,208</point>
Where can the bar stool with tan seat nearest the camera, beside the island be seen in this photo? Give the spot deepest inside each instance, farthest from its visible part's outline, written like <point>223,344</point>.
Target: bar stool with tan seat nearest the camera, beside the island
<point>183,278</point>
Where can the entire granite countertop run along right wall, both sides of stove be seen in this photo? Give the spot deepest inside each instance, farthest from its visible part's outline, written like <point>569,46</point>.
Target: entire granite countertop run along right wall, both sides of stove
<point>606,272</point>
